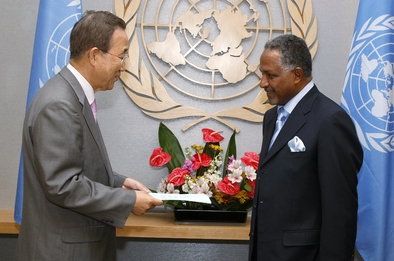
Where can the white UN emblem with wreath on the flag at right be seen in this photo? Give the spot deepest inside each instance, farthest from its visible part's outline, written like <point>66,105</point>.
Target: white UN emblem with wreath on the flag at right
<point>370,77</point>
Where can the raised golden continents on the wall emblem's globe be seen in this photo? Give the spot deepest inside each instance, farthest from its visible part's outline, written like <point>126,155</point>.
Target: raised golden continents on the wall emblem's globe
<point>226,46</point>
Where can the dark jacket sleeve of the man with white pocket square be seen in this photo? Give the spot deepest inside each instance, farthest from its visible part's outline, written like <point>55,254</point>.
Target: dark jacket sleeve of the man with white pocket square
<point>339,160</point>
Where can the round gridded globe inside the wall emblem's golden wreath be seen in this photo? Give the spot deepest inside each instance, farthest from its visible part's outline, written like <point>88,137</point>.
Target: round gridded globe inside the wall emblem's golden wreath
<point>211,44</point>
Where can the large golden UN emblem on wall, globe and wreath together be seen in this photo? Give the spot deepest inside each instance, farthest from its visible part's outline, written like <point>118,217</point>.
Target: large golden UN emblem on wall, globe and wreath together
<point>205,51</point>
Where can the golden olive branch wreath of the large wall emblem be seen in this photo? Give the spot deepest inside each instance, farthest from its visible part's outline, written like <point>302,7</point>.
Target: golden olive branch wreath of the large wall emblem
<point>149,94</point>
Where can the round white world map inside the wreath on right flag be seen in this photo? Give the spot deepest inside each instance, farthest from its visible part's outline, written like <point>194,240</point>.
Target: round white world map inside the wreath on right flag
<point>374,75</point>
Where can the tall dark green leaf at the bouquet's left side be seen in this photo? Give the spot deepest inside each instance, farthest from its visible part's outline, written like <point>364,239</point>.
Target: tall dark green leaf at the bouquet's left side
<point>170,144</point>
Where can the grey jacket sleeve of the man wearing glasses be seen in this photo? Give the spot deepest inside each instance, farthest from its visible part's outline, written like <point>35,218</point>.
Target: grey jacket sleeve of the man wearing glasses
<point>70,168</point>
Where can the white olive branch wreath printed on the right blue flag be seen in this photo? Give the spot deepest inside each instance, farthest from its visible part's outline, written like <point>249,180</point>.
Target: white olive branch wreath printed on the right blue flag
<point>379,141</point>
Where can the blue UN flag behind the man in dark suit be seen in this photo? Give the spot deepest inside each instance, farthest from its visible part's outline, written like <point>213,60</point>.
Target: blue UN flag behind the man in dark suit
<point>368,96</point>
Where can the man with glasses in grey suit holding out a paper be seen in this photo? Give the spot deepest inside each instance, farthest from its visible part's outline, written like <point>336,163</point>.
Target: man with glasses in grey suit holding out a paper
<point>73,201</point>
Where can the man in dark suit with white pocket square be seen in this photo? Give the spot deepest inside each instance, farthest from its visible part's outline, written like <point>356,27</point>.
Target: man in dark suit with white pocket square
<point>305,204</point>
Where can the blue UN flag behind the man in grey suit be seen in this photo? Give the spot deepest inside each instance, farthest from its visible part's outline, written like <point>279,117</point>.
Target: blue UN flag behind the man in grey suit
<point>51,53</point>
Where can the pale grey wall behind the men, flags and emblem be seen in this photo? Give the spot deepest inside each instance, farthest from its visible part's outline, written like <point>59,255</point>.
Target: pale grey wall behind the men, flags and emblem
<point>129,134</point>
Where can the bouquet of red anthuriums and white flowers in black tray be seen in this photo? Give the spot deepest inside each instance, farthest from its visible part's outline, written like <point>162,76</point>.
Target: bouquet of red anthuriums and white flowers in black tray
<point>228,181</point>
